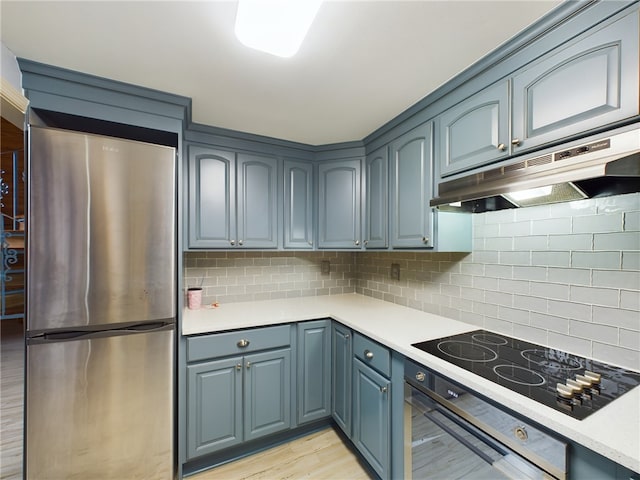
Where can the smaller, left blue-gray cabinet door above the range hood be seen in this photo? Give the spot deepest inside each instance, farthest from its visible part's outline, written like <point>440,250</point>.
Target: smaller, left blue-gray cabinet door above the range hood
<point>476,131</point>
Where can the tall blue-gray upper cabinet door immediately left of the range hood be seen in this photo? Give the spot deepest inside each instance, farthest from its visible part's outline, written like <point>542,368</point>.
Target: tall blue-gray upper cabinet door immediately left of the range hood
<point>410,216</point>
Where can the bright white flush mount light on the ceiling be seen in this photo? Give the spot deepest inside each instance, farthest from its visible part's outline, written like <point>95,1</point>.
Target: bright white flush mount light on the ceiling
<point>277,27</point>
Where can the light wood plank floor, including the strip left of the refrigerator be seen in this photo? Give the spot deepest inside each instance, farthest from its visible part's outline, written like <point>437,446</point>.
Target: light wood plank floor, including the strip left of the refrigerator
<point>322,455</point>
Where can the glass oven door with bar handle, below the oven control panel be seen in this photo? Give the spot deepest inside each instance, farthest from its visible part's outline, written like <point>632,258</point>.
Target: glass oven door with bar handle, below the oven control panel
<point>440,444</point>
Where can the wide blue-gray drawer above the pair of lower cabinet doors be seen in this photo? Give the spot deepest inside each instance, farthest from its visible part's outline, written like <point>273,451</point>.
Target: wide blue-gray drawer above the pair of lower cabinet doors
<point>229,343</point>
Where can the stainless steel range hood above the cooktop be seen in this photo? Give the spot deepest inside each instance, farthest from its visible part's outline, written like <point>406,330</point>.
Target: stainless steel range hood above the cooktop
<point>600,166</point>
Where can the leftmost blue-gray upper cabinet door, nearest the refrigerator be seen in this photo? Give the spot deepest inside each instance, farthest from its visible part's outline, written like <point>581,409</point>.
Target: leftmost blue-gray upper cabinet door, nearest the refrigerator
<point>212,207</point>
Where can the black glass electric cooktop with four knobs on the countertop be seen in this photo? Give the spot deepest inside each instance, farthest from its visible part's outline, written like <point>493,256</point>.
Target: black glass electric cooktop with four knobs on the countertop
<point>535,371</point>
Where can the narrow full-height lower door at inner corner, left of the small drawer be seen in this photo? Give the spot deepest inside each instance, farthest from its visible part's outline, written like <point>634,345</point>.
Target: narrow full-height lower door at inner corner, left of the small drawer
<point>341,367</point>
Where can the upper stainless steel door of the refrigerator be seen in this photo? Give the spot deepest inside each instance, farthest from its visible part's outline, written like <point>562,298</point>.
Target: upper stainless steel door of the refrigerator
<point>102,235</point>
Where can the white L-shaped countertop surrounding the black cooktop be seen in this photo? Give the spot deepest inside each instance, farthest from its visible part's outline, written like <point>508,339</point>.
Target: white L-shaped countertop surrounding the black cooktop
<point>613,431</point>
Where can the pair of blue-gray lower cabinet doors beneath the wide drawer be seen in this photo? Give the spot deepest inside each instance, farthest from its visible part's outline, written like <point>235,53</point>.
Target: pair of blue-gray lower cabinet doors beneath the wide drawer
<point>237,399</point>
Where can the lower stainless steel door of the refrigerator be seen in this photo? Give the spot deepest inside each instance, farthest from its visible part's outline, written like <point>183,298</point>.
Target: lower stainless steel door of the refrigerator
<point>101,408</point>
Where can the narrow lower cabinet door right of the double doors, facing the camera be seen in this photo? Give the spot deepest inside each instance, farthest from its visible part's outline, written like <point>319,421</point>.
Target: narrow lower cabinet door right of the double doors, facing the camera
<point>314,370</point>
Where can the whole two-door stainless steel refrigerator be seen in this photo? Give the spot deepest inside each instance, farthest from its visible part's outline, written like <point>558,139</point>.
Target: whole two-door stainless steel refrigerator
<point>101,305</point>
